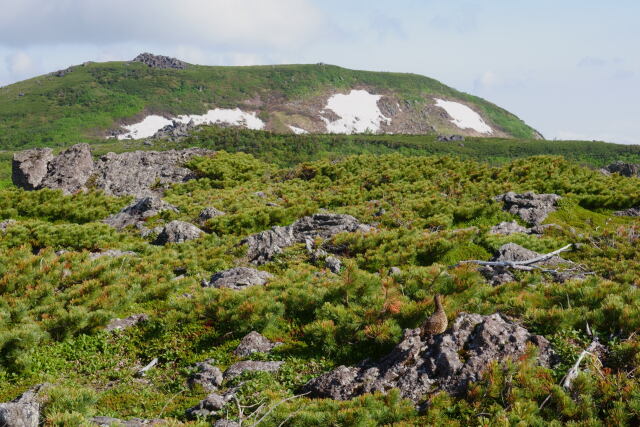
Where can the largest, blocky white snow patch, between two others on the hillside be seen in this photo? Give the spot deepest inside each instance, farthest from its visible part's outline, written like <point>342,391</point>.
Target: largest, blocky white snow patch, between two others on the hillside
<point>358,112</point>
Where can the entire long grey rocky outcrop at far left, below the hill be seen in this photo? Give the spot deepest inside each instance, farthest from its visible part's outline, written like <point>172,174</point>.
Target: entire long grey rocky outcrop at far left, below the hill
<point>137,173</point>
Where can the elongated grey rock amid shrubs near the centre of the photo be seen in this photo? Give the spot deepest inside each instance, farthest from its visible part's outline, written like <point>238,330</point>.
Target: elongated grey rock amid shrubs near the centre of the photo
<point>265,245</point>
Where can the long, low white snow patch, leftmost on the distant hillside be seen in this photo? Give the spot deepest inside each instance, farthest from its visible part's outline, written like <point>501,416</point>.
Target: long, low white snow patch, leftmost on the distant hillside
<point>152,124</point>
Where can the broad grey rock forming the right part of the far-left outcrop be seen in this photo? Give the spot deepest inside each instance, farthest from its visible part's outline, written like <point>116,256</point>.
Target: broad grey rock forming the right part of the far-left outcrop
<point>144,173</point>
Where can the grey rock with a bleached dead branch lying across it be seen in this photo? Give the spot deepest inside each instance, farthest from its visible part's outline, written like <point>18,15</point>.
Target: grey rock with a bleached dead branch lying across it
<point>497,275</point>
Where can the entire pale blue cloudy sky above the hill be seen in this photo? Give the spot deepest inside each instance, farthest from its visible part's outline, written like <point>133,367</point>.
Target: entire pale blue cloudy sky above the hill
<point>569,68</point>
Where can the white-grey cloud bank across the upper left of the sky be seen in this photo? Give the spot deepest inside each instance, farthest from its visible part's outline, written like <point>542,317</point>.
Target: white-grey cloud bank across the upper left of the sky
<point>209,23</point>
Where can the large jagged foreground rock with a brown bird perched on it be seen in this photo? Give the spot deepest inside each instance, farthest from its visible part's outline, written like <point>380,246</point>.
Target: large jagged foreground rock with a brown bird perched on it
<point>448,361</point>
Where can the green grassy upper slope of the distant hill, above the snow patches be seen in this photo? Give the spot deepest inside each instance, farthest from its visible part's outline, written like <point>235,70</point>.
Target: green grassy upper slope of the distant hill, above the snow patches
<point>94,97</point>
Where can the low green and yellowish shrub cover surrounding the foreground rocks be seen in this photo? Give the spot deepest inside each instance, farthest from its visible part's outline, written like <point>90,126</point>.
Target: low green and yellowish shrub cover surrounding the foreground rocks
<point>437,212</point>
